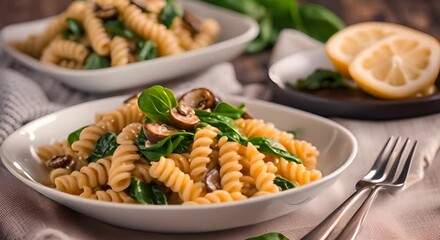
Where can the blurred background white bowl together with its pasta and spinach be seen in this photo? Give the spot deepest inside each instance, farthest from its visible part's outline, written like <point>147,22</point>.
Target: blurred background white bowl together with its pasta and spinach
<point>94,44</point>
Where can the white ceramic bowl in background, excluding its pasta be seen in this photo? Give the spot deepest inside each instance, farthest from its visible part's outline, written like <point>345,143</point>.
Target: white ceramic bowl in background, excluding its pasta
<point>236,31</point>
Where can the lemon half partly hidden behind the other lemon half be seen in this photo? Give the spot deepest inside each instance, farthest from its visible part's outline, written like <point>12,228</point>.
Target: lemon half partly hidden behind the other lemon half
<point>344,45</point>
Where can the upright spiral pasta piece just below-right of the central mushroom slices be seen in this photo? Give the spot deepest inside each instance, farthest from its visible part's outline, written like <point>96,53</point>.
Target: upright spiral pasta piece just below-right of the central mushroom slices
<point>201,149</point>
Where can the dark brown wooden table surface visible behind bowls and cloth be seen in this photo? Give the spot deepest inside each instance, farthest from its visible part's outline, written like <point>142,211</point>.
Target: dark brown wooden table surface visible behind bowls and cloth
<point>420,14</point>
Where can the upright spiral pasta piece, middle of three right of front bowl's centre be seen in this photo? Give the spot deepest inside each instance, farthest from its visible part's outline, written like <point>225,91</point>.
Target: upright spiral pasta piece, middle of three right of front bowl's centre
<point>230,167</point>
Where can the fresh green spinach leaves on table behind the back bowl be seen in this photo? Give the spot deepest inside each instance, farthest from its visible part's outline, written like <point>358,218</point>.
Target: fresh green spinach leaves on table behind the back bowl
<point>274,16</point>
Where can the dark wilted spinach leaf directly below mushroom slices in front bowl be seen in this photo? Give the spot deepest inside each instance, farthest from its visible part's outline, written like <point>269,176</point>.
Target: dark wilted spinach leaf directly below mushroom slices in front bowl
<point>178,142</point>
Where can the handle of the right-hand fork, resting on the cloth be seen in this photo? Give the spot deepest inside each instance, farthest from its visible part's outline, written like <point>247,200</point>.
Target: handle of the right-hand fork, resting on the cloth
<point>353,226</point>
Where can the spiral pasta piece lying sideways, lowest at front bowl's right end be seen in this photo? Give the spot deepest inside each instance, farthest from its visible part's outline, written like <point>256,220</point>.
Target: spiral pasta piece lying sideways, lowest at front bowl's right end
<point>296,173</point>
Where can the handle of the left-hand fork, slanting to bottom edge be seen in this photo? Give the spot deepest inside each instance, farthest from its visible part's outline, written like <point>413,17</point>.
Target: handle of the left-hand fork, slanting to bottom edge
<point>322,231</point>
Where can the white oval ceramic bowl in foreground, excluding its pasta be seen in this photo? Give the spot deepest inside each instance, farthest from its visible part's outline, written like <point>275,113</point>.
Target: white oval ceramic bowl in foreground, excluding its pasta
<point>337,148</point>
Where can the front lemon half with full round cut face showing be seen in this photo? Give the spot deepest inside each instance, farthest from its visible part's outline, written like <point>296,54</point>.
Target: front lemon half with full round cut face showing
<point>398,66</point>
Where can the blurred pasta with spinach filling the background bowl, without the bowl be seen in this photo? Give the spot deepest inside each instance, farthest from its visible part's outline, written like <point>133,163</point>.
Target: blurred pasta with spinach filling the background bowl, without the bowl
<point>102,33</point>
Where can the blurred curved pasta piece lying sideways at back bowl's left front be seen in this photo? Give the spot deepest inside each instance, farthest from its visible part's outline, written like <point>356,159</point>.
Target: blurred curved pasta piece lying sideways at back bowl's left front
<point>64,49</point>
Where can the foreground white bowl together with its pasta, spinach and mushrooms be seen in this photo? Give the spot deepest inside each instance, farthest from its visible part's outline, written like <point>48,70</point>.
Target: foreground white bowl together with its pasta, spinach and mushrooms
<point>163,163</point>
